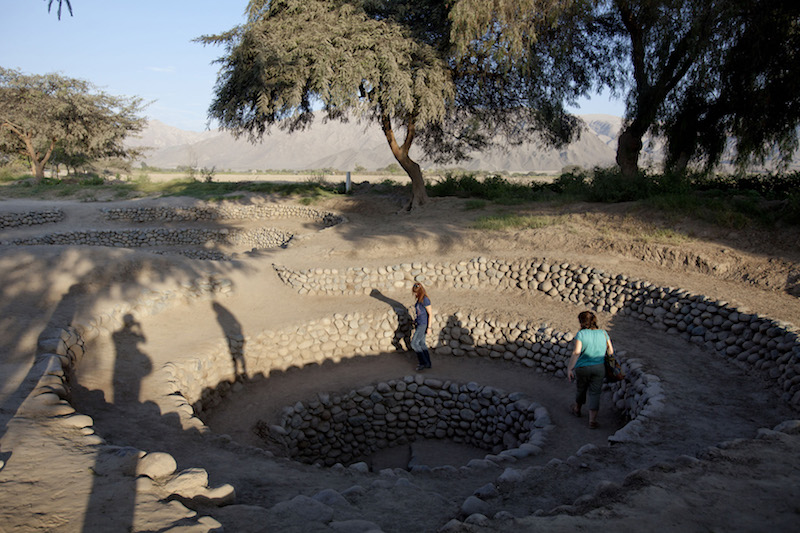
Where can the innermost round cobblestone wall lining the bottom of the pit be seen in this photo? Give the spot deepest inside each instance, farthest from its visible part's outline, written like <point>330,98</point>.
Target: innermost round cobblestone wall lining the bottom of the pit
<point>334,429</point>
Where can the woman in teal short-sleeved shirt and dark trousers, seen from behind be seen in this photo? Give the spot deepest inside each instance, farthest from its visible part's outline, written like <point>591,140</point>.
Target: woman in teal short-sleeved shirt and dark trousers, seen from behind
<point>587,364</point>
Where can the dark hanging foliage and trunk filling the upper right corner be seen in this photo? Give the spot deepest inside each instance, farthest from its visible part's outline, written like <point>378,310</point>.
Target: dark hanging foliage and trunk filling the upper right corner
<point>699,73</point>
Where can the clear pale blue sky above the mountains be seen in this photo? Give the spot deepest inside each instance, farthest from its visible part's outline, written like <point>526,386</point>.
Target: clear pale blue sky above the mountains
<point>141,48</point>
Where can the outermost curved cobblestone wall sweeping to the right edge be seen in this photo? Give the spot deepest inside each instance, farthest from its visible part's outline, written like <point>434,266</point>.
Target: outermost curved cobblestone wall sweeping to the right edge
<point>751,340</point>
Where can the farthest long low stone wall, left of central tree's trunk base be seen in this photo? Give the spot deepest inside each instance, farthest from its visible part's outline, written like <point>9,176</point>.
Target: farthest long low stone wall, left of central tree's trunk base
<point>221,212</point>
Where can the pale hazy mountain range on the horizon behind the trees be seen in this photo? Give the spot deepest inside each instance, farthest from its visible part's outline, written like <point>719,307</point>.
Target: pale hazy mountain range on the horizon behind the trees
<point>343,146</point>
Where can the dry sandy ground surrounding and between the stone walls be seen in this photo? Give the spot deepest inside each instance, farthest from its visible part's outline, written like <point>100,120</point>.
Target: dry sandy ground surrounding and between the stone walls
<point>699,467</point>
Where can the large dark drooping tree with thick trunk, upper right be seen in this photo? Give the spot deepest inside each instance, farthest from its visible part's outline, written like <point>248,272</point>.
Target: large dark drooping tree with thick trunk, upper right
<point>672,58</point>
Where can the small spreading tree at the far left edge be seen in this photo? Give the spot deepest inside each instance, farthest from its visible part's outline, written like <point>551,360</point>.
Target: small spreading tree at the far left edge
<point>39,113</point>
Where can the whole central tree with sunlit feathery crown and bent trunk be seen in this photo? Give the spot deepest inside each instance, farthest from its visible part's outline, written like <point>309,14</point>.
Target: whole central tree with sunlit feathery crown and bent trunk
<point>389,62</point>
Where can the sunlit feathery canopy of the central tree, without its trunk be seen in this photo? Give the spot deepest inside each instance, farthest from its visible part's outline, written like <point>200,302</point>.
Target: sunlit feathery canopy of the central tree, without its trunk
<point>292,56</point>
